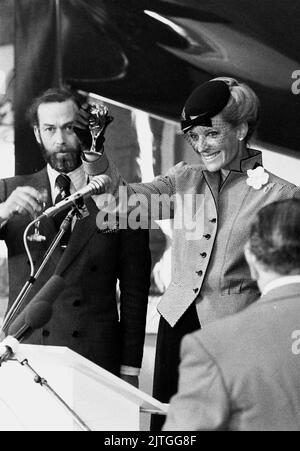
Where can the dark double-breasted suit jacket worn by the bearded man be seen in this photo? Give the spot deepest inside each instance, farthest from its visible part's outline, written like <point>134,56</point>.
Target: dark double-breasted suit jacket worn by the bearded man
<point>85,317</point>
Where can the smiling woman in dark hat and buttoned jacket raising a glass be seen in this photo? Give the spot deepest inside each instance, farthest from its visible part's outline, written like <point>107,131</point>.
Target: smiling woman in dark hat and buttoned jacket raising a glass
<point>210,277</point>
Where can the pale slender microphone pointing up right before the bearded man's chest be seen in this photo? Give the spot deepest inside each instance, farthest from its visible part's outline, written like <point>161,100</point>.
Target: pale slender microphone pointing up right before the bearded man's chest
<point>98,185</point>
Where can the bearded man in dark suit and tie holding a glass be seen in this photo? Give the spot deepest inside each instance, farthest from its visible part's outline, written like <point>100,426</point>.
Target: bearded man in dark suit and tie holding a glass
<point>86,316</point>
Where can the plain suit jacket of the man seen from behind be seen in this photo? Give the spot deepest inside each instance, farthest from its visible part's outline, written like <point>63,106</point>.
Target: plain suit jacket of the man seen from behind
<point>242,373</point>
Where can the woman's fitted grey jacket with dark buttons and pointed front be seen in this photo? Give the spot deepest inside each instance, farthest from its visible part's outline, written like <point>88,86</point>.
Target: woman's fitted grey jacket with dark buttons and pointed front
<point>209,269</point>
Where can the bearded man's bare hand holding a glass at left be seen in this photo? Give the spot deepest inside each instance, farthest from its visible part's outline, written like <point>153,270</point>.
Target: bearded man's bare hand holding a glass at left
<point>23,200</point>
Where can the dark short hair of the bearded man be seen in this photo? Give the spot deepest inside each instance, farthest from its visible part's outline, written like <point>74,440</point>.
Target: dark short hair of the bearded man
<point>51,95</point>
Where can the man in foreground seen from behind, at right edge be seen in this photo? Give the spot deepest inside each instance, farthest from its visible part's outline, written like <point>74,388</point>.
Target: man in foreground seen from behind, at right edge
<point>242,373</point>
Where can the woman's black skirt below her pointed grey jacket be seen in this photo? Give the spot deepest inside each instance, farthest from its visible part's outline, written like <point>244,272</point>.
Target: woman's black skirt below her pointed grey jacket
<point>167,359</point>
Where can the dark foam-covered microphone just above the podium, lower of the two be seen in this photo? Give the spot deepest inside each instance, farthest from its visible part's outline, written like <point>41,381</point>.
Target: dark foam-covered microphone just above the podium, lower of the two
<point>39,310</point>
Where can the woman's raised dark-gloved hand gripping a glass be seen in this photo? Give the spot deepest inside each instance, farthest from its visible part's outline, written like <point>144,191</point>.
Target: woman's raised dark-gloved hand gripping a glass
<point>81,128</point>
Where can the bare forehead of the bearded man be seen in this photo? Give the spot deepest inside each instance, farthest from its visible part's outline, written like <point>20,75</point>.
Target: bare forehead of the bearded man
<point>53,111</point>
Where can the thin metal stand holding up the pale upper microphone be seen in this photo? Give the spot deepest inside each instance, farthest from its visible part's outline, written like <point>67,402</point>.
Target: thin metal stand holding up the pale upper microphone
<point>15,308</point>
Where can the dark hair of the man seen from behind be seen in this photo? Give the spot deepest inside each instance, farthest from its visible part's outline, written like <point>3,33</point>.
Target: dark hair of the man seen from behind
<point>275,237</point>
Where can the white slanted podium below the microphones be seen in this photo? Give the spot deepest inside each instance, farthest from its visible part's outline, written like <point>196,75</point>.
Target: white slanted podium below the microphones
<point>103,401</point>
